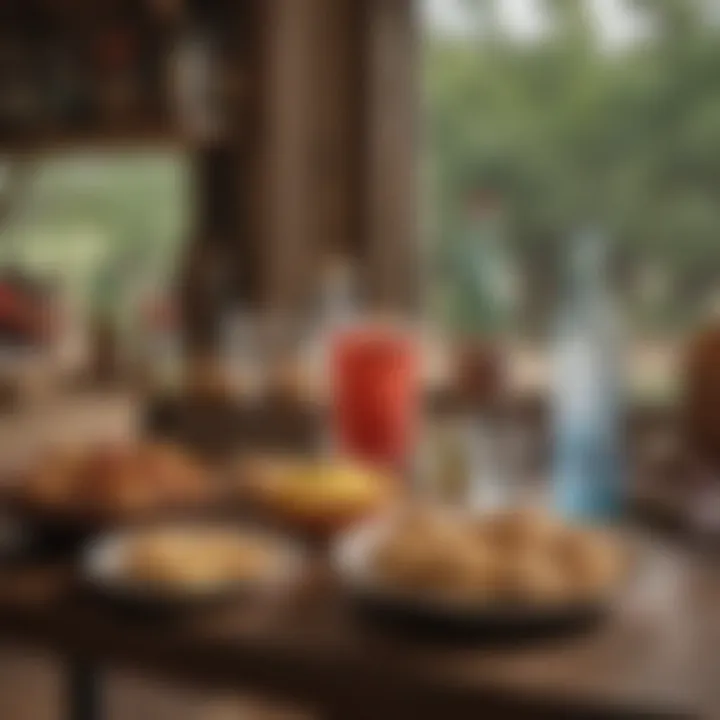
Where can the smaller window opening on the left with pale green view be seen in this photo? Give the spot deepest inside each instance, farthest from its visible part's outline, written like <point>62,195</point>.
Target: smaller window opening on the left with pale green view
<point>106,230</point>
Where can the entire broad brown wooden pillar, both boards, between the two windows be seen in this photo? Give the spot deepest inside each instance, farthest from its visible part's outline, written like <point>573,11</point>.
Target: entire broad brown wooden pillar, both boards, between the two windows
<point>339,145</point>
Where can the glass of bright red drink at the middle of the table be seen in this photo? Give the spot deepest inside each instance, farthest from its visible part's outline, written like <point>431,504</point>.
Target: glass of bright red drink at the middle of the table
<point>375,395</point>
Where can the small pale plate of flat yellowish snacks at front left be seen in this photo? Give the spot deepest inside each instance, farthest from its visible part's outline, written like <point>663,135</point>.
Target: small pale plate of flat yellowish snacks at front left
<point>187,563</point>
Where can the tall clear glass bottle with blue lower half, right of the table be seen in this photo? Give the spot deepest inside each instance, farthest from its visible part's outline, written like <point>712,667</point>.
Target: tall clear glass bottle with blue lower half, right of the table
<point>587,390</point>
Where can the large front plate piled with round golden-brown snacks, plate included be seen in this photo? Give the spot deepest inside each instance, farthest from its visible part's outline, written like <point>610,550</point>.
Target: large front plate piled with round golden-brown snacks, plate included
<point>506,569</point>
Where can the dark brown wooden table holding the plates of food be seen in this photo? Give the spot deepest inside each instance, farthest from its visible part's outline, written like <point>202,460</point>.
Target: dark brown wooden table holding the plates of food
<point>655,657</point>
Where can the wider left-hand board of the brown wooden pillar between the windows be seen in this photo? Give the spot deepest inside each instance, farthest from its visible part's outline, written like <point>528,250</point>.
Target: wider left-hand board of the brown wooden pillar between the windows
<point>311,144</point>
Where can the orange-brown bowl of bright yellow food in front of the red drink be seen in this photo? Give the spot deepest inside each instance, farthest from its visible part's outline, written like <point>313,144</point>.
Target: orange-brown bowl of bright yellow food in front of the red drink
<point>314,496</point>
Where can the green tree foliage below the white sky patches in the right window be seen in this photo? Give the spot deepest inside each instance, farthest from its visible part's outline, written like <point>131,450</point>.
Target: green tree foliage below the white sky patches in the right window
<point>567,132</point>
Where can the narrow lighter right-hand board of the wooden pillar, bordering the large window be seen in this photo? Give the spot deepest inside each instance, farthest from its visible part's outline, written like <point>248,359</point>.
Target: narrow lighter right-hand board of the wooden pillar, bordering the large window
<point>390,120</point>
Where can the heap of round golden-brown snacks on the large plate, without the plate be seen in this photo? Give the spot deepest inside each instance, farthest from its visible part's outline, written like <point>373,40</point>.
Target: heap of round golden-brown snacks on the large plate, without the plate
<point>518,557</point>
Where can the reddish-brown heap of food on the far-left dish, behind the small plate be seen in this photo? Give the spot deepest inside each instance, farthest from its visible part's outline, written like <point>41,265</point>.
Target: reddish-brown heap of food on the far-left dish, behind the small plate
<point>113,482</point>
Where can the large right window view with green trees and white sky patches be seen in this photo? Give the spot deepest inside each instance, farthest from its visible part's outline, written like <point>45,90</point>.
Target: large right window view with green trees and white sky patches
<point>544,114</point>
